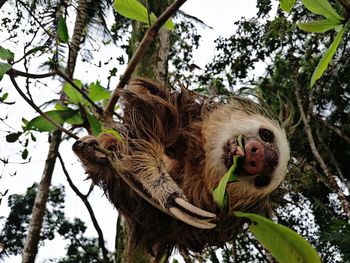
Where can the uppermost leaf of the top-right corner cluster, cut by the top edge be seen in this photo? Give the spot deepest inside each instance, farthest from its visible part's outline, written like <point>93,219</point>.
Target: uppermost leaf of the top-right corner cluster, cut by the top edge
<point>322,7</point>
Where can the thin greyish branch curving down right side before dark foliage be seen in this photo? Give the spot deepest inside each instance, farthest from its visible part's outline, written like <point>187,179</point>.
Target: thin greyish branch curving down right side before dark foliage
<point>318,157</point>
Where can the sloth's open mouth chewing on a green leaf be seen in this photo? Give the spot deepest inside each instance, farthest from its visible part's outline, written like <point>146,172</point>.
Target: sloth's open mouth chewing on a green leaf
<point>234,146</point>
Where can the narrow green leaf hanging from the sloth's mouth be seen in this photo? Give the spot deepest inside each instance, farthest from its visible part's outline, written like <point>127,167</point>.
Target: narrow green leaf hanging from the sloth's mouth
<point>219,193</point>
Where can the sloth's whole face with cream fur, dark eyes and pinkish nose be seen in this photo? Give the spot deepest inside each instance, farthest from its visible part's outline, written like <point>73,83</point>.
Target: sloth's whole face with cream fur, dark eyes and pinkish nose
<point>264,150</point>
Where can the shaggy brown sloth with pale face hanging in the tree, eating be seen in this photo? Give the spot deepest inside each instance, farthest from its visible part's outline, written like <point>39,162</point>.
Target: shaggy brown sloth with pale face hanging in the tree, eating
<point>175,148</point>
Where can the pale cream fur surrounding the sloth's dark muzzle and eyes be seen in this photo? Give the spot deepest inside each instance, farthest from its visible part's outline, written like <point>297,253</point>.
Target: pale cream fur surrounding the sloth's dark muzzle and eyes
<point>228,122</point>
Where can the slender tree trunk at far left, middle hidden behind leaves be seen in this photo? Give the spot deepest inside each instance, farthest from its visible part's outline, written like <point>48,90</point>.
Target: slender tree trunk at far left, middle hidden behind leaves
<point>31,245</point>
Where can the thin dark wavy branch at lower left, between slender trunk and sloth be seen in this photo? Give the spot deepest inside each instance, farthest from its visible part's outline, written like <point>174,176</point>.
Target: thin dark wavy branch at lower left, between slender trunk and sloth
<point>84,198</point>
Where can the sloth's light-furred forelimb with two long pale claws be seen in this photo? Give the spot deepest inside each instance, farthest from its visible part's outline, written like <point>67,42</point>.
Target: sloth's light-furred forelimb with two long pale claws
<point>149,169</point>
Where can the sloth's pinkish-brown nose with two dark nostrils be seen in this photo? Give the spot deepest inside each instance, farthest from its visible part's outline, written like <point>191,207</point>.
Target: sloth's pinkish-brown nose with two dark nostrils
<point>254,157</point>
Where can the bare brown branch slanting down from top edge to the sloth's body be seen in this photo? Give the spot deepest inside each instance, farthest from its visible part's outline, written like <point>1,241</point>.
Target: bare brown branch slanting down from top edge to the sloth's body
<point>146,41</point>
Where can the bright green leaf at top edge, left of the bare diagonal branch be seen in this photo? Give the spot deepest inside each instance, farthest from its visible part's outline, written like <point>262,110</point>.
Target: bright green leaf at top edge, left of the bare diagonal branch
<point>133,9</point>
